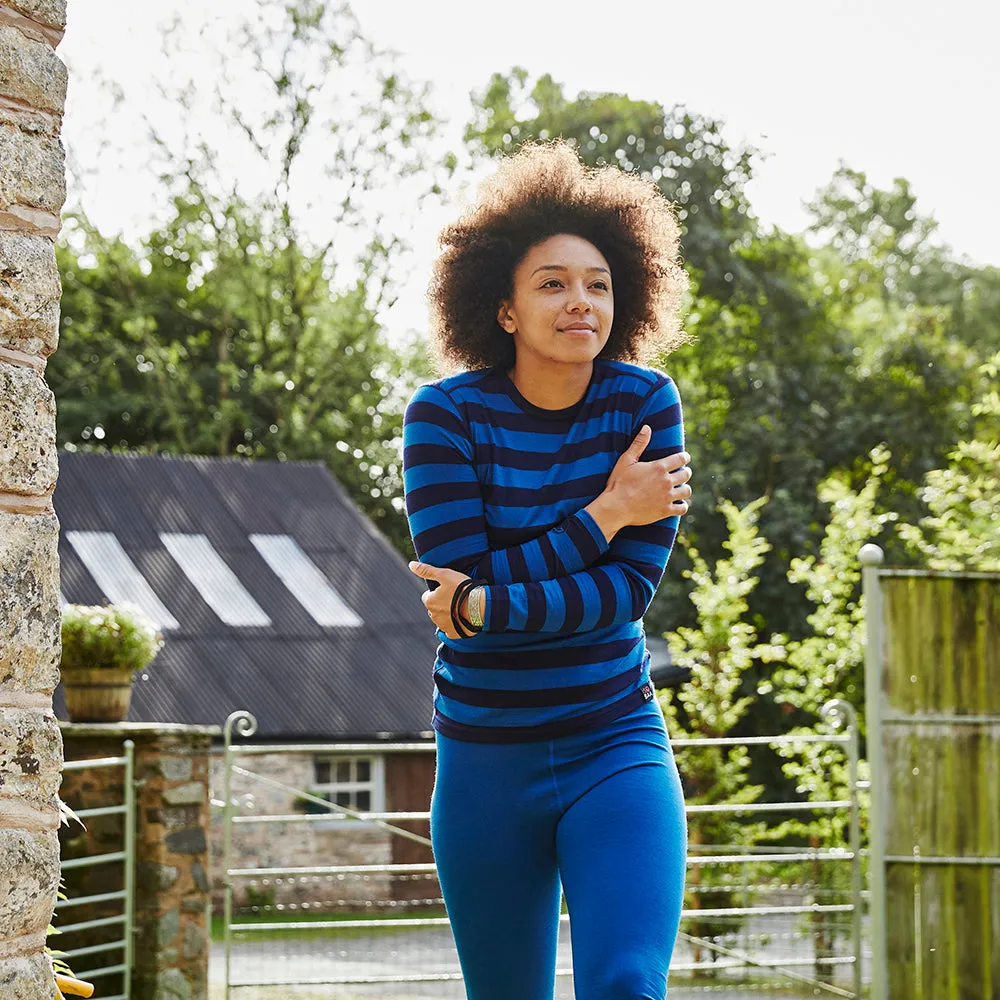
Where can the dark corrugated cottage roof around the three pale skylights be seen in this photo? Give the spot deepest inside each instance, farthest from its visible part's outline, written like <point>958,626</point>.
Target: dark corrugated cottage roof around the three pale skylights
<point>300,679</point>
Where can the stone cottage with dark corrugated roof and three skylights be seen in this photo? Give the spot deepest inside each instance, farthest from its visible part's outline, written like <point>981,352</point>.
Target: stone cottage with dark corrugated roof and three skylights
<point>278,597</point>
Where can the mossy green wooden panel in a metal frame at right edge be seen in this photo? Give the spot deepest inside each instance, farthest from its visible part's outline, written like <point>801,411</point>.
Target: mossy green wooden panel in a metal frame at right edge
<point>934,743</point>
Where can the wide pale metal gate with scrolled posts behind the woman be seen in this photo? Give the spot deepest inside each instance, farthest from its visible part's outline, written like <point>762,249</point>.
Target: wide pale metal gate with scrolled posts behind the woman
<point>838,712</point>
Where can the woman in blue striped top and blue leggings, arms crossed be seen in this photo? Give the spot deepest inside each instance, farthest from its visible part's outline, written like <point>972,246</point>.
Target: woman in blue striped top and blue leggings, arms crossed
<point>544,484</point>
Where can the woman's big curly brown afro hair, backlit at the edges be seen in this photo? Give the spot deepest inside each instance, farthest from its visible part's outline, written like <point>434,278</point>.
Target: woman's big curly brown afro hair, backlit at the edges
<point>543,190</point>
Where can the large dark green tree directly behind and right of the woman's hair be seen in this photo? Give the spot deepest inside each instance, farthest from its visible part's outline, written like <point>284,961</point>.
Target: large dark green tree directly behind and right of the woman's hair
<point>787,377</point>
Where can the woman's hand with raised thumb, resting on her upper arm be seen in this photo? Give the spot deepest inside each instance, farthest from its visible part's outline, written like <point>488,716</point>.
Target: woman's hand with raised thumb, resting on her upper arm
<point>643,492</point>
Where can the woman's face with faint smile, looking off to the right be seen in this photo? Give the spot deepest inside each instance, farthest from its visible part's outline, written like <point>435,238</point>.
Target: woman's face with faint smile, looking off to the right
<point>562,304</point>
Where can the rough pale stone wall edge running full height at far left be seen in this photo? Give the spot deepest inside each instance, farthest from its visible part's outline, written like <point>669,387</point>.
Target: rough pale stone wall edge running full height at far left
<point>32,191</point>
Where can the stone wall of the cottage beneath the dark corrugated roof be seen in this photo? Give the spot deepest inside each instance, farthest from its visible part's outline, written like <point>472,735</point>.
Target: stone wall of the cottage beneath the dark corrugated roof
<point>408,785</point>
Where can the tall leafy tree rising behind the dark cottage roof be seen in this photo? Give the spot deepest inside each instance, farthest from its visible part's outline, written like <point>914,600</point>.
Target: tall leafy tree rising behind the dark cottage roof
<point>228,330</point>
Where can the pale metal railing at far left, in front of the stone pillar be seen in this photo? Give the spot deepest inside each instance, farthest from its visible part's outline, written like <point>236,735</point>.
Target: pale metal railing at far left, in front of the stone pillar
<point>125,857</point>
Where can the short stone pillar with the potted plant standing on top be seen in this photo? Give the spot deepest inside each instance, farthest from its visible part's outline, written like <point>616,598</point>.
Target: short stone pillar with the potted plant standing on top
<point>172,822</point>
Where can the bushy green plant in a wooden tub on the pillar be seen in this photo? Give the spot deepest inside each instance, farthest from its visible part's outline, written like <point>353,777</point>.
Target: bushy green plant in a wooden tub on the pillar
<point>103,647</point>
